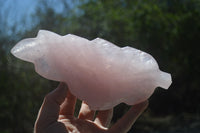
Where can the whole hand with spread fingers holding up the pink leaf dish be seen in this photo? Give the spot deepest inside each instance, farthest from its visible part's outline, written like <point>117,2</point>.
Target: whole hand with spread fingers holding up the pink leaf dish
<point>56,115</point>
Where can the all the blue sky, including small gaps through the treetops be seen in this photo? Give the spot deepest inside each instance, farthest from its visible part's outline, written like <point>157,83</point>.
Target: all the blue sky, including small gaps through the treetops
<point>14,12</point>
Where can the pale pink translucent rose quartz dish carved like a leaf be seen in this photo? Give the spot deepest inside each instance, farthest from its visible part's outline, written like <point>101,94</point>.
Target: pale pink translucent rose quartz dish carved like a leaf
<point>97,71</point>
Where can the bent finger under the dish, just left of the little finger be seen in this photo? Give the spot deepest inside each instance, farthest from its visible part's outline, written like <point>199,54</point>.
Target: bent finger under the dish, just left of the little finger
<point>103,118</point>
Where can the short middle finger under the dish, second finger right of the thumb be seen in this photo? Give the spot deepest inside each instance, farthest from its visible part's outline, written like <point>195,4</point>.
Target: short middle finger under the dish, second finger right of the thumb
<point>86,112</point>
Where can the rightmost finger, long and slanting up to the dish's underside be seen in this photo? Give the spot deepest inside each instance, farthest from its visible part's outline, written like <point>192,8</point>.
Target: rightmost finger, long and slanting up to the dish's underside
<point>124,124</point>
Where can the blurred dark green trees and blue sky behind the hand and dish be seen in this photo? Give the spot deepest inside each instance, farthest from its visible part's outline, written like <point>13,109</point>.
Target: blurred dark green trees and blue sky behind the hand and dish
<point>167,29</point>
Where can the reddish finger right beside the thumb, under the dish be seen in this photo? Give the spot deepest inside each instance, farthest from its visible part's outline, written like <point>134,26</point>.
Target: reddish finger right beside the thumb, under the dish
<point>68,106</point>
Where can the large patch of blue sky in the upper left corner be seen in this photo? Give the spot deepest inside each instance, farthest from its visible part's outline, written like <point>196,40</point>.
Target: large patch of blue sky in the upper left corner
<point>13,11</point>
